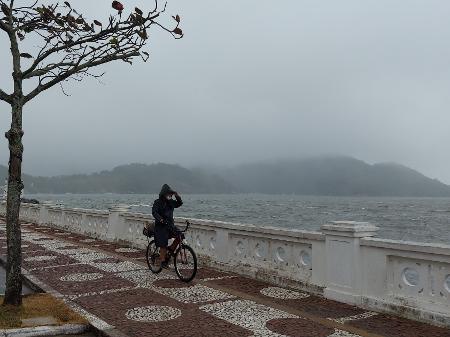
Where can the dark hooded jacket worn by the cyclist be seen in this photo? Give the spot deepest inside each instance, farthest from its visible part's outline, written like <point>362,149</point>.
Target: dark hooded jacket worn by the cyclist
<point>162,209</point>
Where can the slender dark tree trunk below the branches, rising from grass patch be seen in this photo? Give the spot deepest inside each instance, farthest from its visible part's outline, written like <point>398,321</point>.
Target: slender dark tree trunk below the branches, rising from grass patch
<point>13,293</point>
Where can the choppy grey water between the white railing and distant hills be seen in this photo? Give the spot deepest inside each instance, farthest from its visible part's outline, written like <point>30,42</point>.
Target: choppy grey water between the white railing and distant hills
<point>411,219</point>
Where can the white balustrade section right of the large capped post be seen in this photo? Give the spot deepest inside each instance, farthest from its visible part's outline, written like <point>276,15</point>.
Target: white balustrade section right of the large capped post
<point>407,276</point>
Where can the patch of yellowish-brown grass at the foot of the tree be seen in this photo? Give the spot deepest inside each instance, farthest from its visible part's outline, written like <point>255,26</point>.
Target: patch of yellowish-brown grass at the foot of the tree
<point>37,305</point>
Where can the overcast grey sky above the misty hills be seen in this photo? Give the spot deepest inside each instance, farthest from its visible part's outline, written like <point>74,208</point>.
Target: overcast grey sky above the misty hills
<point>256,80</point>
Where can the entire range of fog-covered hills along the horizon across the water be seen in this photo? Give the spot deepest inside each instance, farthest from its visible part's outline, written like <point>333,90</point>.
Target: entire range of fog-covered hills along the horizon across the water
<point>335,176</point>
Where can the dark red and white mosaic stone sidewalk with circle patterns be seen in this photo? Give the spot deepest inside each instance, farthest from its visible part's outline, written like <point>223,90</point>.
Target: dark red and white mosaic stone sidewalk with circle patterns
<point>112,282</point>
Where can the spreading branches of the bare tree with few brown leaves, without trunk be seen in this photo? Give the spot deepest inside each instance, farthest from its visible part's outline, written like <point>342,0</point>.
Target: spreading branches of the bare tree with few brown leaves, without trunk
<point>72,45</point>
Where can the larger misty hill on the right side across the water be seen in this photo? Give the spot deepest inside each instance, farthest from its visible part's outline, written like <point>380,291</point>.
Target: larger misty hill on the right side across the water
<point>344,176</point>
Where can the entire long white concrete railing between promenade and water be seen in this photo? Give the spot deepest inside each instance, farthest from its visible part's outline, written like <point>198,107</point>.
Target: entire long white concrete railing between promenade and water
<point>343,261</point>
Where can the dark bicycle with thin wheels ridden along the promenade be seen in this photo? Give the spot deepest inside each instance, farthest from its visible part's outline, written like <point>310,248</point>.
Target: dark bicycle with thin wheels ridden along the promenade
<point>184,257</point>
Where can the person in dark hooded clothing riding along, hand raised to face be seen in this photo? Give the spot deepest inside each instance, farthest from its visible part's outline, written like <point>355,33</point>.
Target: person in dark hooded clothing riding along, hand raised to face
<point>165,228</point>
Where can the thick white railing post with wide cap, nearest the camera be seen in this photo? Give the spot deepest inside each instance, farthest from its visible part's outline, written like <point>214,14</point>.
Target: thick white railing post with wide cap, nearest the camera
<point>343,259</point>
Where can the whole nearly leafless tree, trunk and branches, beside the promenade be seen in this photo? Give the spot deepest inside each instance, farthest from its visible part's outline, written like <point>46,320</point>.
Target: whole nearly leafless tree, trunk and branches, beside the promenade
<point>70,46</point>
